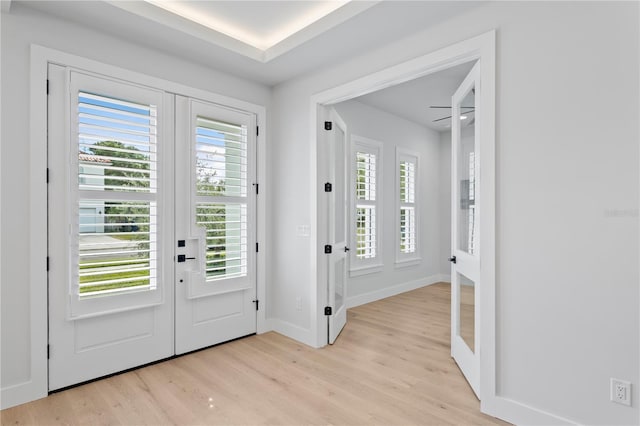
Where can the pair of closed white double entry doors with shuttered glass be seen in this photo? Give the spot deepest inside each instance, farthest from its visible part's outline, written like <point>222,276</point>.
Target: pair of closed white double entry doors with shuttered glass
<point>131,201</point>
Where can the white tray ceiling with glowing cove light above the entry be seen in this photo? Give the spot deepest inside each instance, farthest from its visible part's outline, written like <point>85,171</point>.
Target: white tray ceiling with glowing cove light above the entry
<point>343,33</point>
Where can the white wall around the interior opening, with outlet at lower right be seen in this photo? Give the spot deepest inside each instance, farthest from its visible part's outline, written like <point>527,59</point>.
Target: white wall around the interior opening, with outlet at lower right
<point>567,199</point>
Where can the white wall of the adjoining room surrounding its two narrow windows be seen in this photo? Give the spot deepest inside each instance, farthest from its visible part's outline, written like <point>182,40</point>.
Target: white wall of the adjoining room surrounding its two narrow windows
<point>393,131</point>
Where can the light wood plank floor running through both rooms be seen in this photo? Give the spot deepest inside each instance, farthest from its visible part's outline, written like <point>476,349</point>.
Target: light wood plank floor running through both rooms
<point>391,366</point>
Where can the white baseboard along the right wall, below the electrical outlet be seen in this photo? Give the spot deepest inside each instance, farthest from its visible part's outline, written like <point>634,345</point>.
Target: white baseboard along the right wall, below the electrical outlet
<point>521,414</point>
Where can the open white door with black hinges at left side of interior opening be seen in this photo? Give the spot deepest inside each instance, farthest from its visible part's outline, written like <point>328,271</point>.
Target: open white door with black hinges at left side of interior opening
<point>337,273</point>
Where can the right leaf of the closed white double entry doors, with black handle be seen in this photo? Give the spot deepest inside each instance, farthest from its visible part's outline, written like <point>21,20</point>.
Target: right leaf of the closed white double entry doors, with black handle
<point>215,224</point>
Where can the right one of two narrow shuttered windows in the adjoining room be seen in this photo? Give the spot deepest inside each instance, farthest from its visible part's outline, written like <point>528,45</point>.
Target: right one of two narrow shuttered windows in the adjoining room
<point>407,224</point>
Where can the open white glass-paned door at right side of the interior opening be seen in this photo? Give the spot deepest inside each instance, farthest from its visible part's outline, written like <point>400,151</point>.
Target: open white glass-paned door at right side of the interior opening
<point>466,202</point>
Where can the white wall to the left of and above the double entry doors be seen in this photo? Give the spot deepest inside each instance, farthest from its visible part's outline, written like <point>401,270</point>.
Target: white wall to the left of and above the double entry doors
<point>19,29</point>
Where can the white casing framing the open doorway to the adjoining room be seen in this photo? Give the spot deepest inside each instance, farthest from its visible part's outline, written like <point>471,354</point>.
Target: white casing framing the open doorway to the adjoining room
<point>483,49</point>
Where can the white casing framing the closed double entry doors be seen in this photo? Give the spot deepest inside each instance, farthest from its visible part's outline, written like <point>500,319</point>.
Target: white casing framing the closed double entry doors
<point>37,386</point>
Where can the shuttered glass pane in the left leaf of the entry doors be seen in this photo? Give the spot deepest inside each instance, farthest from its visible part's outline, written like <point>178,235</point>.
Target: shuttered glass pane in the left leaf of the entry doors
<point>116,183</point>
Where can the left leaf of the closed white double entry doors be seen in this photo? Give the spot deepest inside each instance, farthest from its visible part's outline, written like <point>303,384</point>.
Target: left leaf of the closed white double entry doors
<point>110,226</point>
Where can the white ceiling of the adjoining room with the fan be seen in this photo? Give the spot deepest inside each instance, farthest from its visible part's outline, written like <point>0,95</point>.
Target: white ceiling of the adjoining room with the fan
<point>411,100</point>
